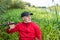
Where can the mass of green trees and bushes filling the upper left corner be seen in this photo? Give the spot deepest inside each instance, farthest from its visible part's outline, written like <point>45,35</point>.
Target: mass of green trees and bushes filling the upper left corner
<point>9,4</point>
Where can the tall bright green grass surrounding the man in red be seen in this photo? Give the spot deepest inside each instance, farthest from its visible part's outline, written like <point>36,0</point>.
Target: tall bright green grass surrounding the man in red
<point>47,22</point>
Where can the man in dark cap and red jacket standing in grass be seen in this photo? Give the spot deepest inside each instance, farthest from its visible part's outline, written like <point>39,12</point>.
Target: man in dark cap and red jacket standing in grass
<point>27,29</point>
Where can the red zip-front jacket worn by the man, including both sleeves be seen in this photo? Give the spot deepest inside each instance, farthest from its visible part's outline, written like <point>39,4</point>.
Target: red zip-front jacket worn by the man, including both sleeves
<point>27,31</point>
